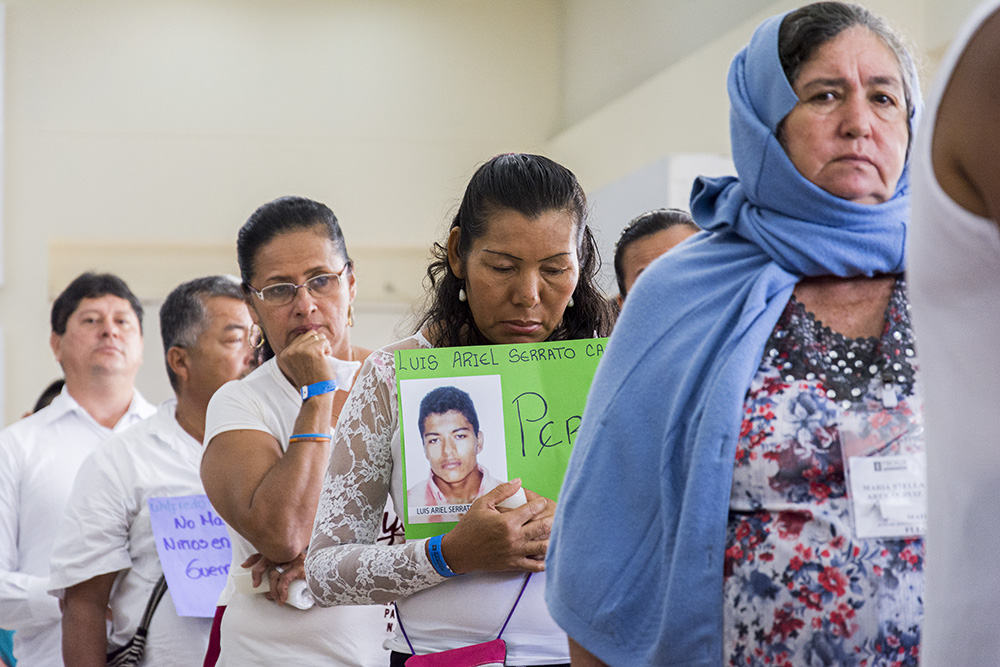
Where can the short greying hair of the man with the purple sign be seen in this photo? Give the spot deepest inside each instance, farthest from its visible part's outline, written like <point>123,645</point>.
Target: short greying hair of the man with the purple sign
<point>183,317</point>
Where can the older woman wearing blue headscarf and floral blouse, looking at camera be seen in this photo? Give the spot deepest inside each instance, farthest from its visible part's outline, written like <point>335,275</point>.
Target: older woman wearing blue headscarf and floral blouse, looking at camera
<point>705,517</point>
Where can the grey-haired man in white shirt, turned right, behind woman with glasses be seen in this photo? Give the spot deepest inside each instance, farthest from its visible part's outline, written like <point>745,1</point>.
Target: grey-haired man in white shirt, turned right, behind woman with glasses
<point>105,553</point>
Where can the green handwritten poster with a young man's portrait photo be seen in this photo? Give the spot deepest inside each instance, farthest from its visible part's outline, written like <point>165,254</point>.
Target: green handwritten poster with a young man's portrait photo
<point>472,417</point>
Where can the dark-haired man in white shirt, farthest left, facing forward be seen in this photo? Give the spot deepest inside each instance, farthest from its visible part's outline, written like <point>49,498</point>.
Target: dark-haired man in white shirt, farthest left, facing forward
<point>97,339</point>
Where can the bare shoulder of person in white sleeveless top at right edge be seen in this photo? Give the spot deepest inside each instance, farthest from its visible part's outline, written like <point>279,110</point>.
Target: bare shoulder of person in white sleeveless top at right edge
<point>966,133</point>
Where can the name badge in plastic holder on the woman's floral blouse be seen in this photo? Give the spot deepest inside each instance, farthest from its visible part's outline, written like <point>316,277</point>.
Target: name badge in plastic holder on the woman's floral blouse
<point>885,463</point>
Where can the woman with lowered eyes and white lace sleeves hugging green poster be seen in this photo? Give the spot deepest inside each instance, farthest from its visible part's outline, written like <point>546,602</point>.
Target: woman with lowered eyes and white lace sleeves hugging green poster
<point>518,267</point>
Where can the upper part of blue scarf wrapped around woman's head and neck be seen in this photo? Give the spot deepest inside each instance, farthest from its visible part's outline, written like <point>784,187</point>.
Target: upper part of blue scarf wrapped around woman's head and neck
<point>801,227</point>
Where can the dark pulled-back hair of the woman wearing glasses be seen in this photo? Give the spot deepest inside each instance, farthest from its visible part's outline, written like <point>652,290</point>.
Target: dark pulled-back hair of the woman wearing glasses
<point>283,215</point>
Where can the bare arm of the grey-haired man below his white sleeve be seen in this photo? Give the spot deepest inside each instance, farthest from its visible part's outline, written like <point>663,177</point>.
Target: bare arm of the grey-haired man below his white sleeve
<point>85,610</point>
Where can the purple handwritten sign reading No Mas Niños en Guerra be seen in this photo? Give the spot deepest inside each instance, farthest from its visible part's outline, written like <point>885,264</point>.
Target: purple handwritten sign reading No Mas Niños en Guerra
<point>194,550</point>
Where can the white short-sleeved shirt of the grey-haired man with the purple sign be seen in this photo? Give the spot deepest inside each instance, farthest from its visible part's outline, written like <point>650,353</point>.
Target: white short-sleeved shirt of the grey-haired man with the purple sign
<point>106,528</point>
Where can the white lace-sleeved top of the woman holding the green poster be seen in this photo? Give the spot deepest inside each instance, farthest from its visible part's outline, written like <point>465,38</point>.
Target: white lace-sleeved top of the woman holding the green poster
<point>438,614</point>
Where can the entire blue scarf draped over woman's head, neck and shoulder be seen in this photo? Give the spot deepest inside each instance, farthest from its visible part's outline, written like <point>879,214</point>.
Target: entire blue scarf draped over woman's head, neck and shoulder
<point>636,557</point>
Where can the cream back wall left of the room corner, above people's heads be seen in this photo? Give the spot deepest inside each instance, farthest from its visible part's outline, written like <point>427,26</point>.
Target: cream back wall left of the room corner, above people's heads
<point>168,121</point>
